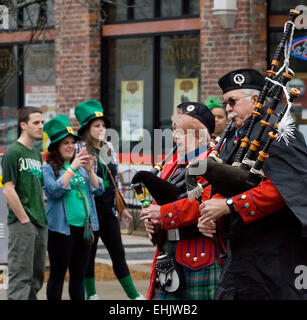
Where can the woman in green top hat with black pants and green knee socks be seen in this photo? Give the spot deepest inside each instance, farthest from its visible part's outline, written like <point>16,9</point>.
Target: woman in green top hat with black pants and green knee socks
<point>93,125</point>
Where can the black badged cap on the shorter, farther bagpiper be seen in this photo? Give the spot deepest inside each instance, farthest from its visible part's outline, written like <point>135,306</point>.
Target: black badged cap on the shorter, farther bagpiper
<point>200,112</point>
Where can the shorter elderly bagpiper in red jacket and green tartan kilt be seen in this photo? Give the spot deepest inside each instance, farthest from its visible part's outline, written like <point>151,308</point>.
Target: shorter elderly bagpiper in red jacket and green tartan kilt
<point>193,257</point>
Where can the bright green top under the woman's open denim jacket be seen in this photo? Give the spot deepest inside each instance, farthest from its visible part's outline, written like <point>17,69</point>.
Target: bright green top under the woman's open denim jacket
<point>74,204</point>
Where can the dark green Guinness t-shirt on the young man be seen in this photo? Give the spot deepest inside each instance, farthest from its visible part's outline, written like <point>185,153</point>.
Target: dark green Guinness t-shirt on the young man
<point>23,167</point>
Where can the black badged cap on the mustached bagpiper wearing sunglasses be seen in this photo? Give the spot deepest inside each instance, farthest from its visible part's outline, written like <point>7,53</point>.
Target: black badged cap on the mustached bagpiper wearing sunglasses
<point>241,79</point>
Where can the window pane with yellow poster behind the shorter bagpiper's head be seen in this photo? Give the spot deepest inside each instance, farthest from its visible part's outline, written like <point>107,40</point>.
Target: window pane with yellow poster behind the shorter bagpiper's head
<point>179,73</point>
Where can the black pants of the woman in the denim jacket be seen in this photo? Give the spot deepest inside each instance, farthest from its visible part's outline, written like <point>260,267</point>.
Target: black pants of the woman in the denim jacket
<point>64,252</point>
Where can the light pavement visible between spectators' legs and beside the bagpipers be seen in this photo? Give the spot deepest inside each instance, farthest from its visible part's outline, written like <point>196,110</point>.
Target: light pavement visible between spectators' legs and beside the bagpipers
<point>136,248</point>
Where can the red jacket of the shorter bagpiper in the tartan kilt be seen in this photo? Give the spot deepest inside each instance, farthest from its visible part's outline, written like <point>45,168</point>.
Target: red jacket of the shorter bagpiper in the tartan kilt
<point>195,253</point>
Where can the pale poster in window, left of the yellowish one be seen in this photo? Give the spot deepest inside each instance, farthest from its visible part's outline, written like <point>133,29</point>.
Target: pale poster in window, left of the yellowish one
<point>132,109</point>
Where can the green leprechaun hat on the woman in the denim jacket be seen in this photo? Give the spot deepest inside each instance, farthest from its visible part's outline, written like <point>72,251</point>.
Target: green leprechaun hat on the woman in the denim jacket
<point>58,128</point>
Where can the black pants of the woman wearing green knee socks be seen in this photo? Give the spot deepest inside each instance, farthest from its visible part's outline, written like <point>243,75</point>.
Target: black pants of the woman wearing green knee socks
<point>109,232</point>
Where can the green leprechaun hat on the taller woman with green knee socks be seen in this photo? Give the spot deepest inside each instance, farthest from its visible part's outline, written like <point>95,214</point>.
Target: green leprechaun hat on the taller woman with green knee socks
<point>87,111</point>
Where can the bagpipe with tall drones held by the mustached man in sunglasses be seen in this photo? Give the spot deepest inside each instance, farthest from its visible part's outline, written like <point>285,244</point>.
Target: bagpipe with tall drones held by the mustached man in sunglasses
<point>246,171</point>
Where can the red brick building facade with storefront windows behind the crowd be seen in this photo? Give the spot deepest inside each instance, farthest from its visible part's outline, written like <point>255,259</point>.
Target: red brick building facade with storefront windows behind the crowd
<point>152,45</point>
